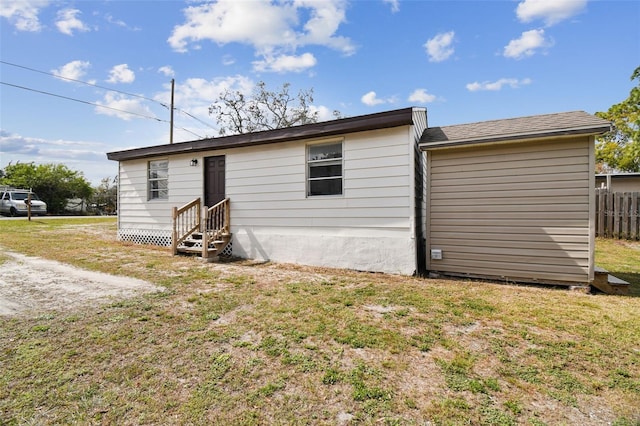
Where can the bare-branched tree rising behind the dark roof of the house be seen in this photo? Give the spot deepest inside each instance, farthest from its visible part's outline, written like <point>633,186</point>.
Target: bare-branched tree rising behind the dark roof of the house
<point>263,110</point>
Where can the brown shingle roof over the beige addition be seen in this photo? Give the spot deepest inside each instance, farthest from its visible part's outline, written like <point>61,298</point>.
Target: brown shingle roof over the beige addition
<point>521,128</point>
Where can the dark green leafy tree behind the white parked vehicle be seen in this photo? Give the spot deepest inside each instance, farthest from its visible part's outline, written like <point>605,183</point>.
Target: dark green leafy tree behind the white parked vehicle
<point>54,183</point>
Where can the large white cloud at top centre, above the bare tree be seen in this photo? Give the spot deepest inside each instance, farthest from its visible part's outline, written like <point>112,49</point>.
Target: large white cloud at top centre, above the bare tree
<point>273,29</point>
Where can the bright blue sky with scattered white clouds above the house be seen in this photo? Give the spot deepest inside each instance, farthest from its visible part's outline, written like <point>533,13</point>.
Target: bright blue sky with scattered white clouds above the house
<point>465,61</point>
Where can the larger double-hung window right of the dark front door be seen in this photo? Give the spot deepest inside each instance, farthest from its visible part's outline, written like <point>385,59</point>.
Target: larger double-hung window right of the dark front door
<point>324,174</point>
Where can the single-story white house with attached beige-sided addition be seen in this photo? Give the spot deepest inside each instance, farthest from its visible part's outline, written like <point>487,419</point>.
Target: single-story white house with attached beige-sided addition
<point>510,199</point>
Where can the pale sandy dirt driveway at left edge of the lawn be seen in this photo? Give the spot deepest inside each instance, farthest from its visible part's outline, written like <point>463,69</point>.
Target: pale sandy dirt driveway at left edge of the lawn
<point>32,284</point>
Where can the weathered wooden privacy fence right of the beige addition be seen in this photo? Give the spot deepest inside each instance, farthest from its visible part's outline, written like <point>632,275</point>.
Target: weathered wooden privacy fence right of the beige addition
<point>618,214</point>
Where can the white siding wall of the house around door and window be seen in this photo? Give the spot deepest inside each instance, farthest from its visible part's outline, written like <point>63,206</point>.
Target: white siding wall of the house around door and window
<point>370,227</point>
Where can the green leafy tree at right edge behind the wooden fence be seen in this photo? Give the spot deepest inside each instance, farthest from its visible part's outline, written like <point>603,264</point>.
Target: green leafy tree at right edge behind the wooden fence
<point>619,150</point>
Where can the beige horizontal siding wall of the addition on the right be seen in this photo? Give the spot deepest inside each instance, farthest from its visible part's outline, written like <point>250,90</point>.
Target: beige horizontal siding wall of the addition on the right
<point>514,211</point>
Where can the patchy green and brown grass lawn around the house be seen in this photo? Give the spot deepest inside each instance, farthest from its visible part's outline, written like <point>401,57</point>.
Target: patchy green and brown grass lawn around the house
<point>260,343</point>
